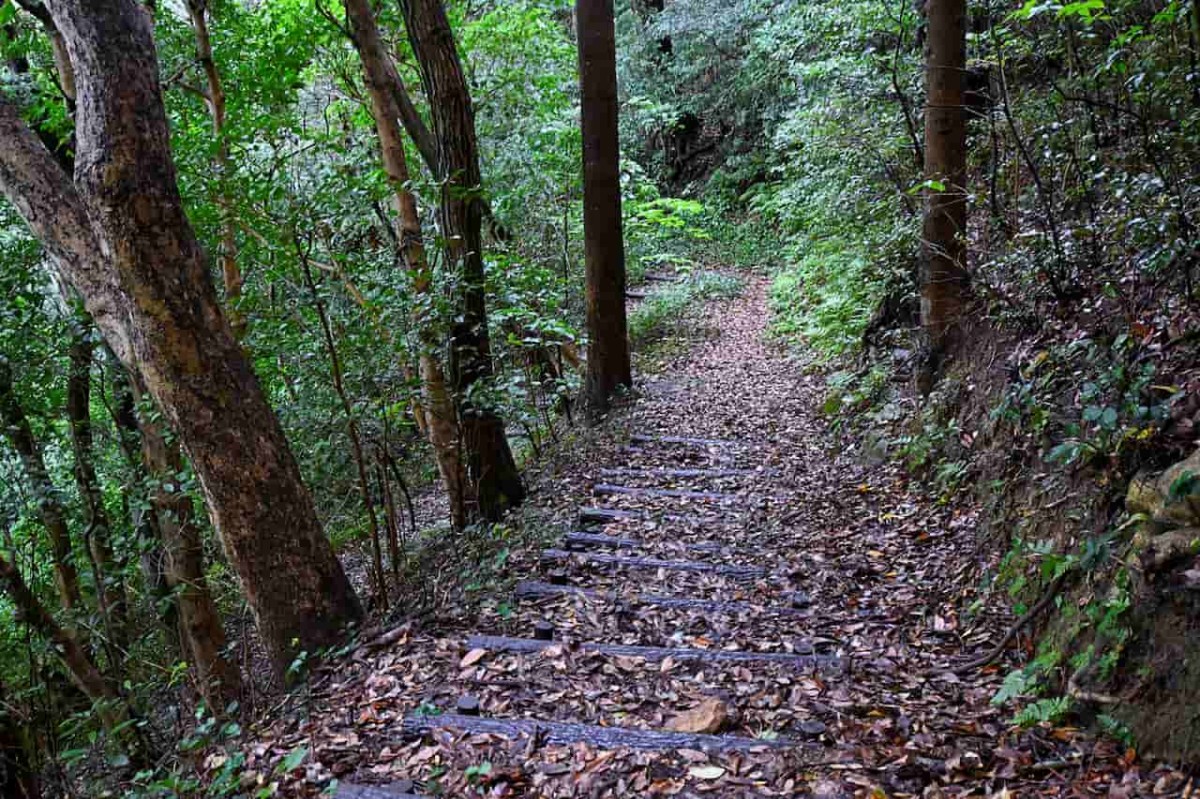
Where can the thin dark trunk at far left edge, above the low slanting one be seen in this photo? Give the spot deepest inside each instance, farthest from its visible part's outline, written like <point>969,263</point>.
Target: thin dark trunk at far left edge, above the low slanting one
<point>46,495</point>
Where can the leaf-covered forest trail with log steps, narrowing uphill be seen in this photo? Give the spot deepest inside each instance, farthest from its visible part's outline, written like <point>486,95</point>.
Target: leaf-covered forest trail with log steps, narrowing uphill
<point>741,611</point>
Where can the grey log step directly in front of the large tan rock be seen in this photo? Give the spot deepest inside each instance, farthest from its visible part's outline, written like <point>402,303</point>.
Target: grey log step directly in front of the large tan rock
<point>563,735</point>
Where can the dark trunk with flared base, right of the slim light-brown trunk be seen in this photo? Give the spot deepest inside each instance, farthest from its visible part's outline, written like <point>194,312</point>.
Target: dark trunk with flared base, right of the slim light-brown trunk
<point>493,479</point>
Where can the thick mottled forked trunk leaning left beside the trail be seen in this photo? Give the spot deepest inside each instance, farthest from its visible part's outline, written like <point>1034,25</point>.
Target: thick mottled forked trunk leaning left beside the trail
<point>155,303</point>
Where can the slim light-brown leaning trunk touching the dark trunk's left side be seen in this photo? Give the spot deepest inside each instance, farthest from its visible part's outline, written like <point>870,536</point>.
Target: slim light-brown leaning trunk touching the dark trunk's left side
<point>440,411</point>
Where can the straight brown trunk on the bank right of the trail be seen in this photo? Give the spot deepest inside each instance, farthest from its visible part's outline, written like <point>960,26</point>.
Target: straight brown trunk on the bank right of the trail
<point>944,279</point>
